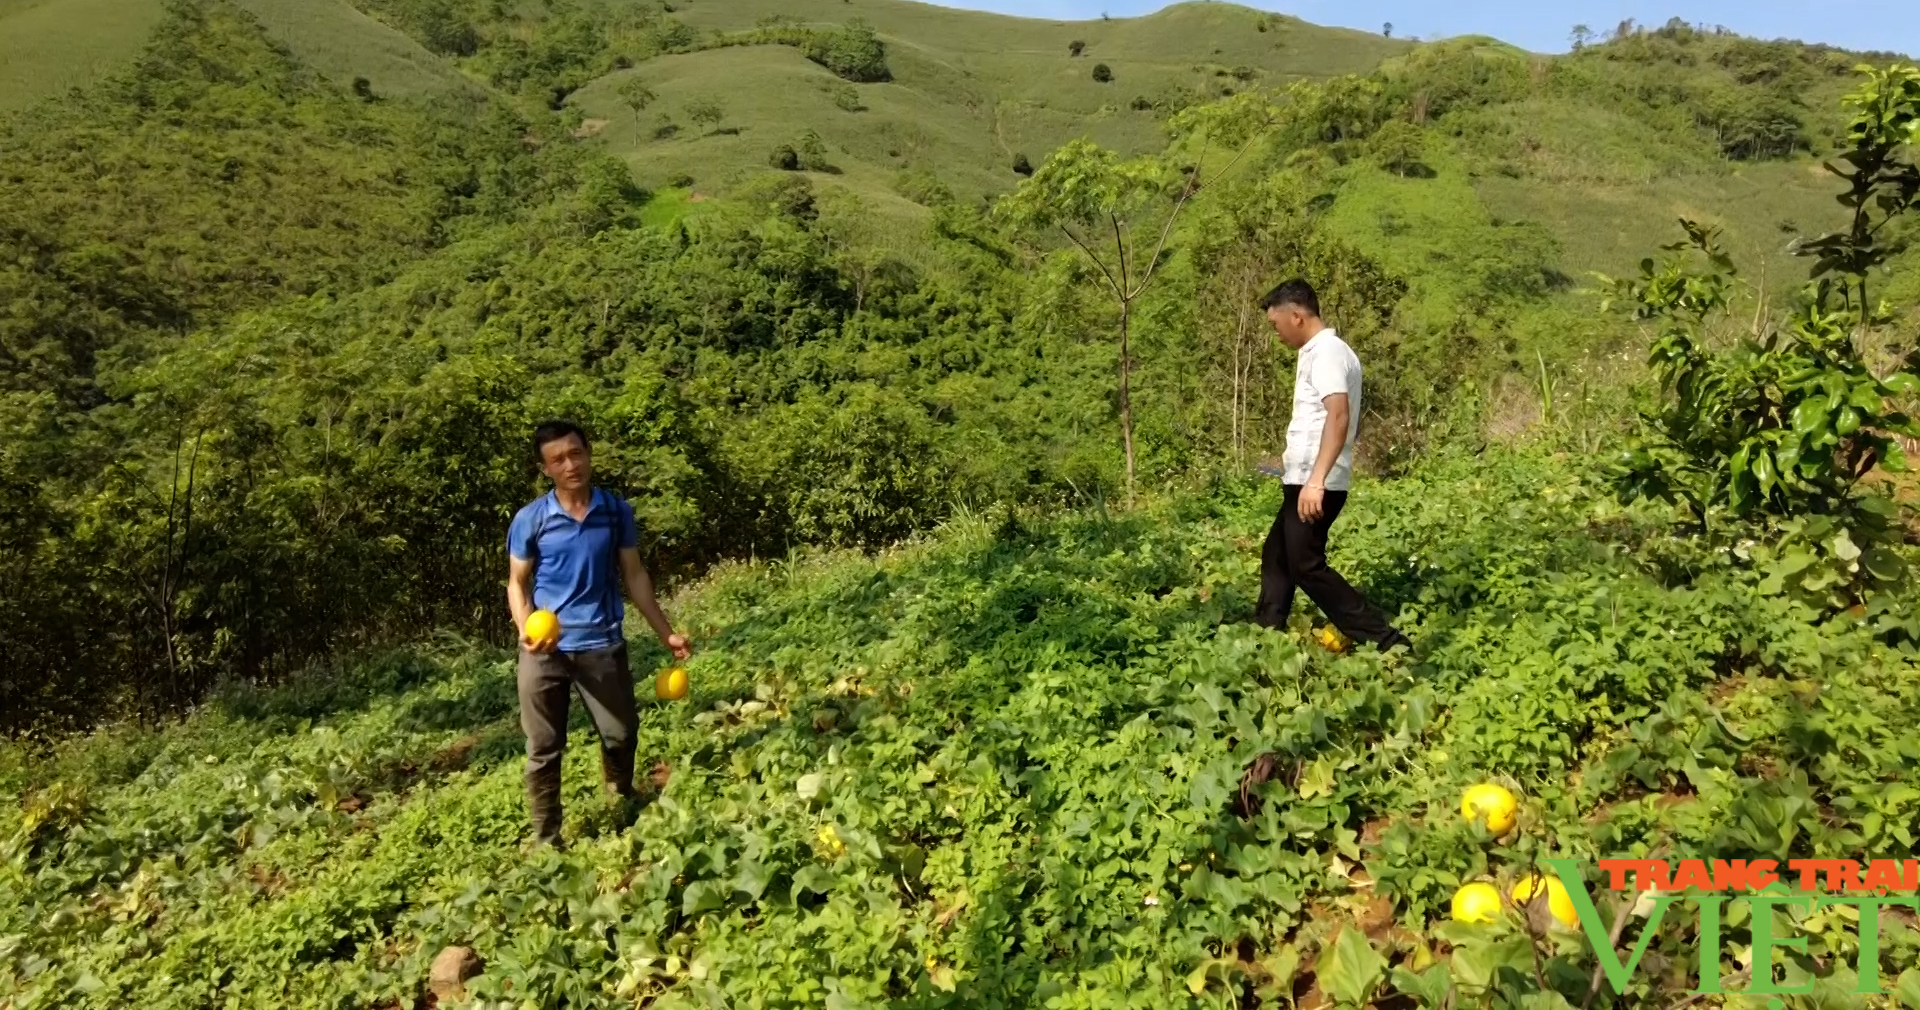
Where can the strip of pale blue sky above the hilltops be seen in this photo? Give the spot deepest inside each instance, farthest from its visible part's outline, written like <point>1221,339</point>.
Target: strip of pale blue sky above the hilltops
<point>1543,26</point>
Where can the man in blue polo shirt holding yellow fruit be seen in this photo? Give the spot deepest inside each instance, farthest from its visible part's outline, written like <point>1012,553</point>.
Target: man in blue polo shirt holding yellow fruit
<point>573,552</point>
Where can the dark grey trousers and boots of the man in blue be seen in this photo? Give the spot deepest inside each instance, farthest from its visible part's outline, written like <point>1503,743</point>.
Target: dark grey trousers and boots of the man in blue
<point>606,686</point>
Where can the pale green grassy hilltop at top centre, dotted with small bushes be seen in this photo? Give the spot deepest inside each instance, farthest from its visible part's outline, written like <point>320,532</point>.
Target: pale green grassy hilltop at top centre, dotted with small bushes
<point>971,91</point>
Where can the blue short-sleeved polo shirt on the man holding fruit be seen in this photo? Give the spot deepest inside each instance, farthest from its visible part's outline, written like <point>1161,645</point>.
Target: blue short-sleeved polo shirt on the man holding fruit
<point>577,565</point>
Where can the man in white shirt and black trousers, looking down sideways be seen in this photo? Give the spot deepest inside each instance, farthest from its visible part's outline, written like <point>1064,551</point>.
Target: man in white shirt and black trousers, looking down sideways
<point>1318,473</point>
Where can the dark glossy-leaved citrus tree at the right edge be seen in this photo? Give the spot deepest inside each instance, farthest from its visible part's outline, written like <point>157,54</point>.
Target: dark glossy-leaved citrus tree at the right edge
<point>1781,425</point>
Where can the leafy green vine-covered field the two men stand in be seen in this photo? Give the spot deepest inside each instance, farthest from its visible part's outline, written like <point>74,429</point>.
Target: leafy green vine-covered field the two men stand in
<point>1007,765</point>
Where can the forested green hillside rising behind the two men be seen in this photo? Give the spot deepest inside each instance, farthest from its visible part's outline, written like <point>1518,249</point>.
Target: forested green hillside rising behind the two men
<point>266,397</point>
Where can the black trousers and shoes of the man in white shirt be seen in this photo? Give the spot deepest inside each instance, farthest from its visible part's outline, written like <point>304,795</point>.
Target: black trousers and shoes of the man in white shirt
<point>1297,558</point>
